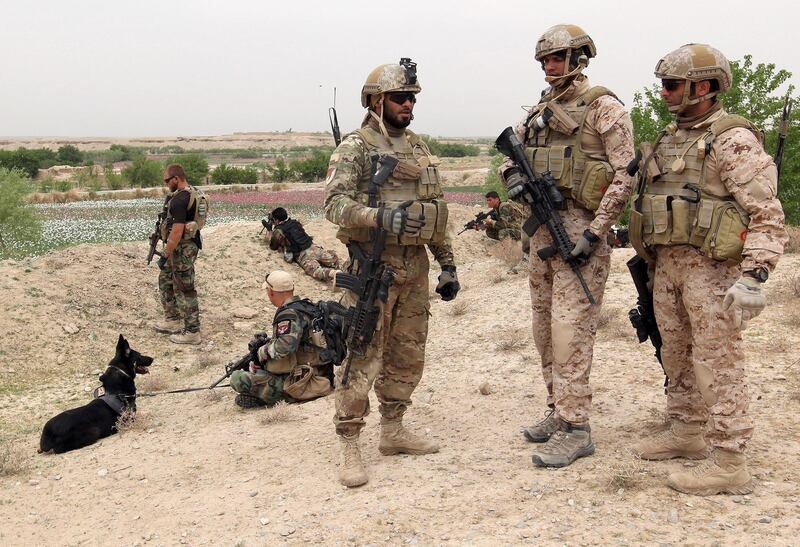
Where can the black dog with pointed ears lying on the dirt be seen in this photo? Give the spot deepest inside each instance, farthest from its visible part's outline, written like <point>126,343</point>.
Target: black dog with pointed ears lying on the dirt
<point>83,426</point>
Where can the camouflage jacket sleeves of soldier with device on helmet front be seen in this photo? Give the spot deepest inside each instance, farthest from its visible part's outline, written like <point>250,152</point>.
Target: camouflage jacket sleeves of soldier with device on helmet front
<point>342,205</point>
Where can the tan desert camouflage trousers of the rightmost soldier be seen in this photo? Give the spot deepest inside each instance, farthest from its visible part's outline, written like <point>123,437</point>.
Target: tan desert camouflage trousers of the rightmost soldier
<point>702,349</point>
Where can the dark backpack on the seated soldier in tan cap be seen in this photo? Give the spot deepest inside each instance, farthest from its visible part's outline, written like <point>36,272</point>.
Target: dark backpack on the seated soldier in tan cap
<point>327,320</point>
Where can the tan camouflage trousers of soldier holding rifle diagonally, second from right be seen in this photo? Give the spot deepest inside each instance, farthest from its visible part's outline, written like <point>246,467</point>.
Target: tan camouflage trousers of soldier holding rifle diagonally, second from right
<point>564,322</point>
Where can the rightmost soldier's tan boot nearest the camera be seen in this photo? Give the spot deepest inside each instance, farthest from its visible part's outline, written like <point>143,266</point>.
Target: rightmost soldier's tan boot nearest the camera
<point>725,472</point>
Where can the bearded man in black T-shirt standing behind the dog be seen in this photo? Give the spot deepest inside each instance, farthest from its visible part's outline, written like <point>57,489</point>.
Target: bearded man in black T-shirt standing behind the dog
<point>182,241</point>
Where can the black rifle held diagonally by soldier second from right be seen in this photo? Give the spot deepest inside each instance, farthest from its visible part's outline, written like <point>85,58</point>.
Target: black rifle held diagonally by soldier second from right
<point>544,199</point>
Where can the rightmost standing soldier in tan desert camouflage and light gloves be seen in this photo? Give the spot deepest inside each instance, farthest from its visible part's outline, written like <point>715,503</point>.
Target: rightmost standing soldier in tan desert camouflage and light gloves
<point>708,220</point>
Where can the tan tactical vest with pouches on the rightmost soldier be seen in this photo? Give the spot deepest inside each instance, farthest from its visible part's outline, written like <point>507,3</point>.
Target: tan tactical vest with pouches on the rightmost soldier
<point>681,202</point>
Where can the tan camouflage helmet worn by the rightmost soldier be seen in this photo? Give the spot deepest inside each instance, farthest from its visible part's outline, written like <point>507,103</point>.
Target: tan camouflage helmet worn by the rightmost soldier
<point>695,62</point>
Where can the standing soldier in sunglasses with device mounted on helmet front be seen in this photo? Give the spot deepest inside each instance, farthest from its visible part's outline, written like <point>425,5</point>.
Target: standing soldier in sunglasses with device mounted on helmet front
<point>395,358</point>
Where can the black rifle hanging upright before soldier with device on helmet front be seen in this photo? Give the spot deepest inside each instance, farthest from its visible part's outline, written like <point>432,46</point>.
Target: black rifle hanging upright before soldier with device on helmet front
<point>373,280</point>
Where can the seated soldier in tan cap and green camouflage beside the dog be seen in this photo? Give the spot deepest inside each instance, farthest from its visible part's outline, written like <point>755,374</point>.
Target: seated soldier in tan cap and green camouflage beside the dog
<point>288,367</point>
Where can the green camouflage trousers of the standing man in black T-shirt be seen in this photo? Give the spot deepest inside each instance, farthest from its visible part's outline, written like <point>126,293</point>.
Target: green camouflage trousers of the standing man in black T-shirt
<point>176,286</point>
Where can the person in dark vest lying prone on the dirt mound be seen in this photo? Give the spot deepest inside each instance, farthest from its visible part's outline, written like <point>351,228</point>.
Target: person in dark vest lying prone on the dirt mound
<point>289,237</point>
